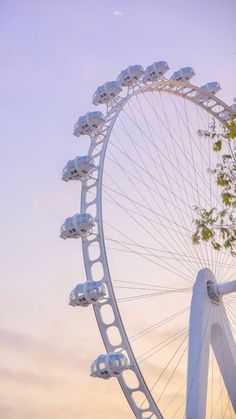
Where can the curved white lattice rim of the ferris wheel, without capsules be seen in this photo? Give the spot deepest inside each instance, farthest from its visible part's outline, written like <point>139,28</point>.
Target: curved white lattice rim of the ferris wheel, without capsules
<point>101,139</point>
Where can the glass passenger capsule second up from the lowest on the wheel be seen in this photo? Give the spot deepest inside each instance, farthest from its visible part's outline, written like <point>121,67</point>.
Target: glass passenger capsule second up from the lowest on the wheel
<point>88,293</point>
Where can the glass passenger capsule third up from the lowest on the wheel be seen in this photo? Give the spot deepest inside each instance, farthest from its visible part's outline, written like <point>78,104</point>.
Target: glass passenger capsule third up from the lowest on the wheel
<point>80,225</point>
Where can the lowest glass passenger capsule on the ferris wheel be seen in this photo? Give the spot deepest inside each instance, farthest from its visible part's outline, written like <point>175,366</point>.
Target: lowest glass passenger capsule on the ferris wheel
<point>109,365</point>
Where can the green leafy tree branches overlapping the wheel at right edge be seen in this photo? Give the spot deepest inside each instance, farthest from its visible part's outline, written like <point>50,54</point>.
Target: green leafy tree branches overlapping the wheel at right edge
<point>219,227</point>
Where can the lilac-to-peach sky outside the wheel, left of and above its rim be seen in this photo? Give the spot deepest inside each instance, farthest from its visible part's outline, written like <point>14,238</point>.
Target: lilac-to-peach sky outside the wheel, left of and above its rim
<point>53,56</point>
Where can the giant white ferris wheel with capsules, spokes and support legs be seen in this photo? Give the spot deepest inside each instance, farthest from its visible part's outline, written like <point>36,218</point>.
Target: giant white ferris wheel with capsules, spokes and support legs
<point>165,308</point>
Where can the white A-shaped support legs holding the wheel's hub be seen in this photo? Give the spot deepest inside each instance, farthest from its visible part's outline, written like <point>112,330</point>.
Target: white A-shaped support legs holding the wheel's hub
<point>209,325</point>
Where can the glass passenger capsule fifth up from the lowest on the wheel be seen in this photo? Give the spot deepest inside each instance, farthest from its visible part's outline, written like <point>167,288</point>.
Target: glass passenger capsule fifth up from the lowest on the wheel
<point>88,123</point>
